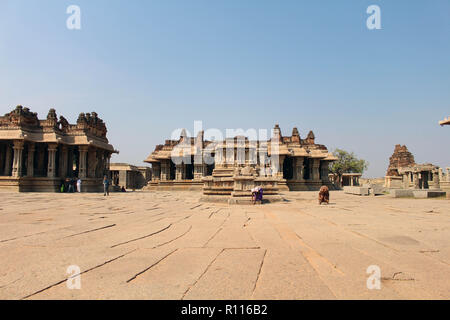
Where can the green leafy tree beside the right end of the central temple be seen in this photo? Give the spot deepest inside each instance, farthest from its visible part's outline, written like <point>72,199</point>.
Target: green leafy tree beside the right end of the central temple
<point>347,163</point>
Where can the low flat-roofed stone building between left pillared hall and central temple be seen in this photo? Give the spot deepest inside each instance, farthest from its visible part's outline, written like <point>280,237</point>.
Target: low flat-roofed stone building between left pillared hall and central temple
<point>129,176</point>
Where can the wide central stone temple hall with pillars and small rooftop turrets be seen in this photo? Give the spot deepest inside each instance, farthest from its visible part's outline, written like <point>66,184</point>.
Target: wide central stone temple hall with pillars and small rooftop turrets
<point>287,162</point>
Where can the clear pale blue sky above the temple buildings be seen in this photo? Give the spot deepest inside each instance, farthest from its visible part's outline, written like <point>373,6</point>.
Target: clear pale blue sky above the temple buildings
<point>150,67</point>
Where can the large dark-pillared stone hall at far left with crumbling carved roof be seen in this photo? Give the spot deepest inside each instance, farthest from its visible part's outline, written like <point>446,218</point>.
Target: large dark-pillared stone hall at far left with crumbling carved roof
<point>37,155</point>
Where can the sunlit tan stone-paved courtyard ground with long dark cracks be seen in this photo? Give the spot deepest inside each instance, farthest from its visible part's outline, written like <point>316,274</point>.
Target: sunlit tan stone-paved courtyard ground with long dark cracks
<point>165,245</point>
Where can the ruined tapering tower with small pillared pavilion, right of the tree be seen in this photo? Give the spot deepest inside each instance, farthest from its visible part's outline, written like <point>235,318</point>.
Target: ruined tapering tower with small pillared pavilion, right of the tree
<point>404,173</point>
